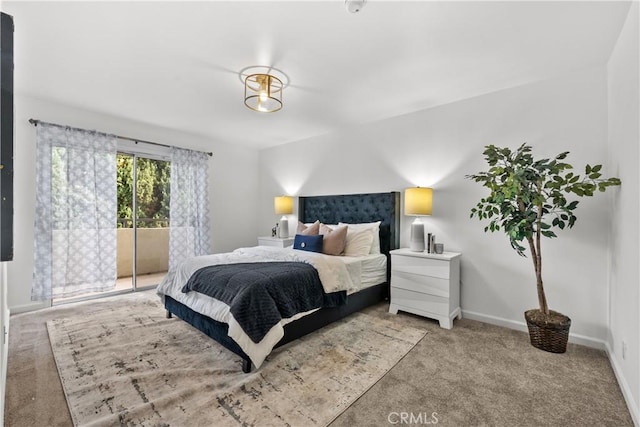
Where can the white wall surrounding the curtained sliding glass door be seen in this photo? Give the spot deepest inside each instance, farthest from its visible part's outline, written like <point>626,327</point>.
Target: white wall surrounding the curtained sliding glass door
<point>232,184</point>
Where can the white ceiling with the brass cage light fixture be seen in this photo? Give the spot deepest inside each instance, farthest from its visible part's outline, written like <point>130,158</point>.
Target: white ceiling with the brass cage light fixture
<point>176,64</point>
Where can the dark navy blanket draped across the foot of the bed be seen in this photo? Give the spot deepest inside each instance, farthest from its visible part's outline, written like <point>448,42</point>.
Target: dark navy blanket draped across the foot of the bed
<point>260,294</point>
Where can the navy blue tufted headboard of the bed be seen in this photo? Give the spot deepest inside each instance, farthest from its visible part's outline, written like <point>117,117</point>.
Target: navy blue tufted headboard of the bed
<point>355,208</point>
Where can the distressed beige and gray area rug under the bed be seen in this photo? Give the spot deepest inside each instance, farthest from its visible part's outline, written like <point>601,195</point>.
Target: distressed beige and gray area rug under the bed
<point>128,365</point>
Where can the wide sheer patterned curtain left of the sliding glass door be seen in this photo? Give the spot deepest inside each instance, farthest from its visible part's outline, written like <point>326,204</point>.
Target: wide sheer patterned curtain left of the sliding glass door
<point>76,208</point>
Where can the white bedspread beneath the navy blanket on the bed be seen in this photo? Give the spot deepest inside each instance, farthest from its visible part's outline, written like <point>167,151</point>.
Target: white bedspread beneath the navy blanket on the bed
<point>333,273</point>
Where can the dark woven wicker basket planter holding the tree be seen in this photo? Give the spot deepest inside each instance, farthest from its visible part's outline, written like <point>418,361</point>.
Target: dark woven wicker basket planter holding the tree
<point>550,335</point>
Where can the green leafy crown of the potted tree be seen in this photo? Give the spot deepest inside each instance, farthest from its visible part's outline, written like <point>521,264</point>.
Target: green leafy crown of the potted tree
<point>521,187</point>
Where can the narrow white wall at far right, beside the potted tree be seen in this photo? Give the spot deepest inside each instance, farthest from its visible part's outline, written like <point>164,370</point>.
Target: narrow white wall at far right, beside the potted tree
<point>624,276</point>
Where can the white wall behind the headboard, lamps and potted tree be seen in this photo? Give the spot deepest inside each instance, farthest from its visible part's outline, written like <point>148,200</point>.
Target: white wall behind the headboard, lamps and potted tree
<point>436,148</point>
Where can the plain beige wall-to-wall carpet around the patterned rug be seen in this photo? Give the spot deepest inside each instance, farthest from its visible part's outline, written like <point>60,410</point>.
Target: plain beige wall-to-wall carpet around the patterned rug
<point>472,375</point>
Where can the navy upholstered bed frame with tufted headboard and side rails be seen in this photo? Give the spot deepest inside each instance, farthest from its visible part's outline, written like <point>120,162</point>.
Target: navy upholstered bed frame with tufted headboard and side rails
<point>352,208</point>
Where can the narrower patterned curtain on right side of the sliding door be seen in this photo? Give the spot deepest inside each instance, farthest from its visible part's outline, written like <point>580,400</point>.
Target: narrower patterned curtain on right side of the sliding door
<point>188,206</point>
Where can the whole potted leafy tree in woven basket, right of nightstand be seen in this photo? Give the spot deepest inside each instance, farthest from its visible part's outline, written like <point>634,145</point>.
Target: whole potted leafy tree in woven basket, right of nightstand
<point>528,201</point>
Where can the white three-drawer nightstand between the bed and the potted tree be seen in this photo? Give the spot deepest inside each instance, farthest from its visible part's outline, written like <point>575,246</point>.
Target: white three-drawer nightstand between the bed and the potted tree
<point>426,284</point>
